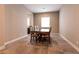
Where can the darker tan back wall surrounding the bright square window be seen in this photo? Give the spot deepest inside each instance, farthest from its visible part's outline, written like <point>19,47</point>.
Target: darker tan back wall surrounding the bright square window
<point>54,20</point>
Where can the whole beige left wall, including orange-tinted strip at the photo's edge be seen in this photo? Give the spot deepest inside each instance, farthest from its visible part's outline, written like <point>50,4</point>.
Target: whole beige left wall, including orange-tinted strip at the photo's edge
<point>13,22</point>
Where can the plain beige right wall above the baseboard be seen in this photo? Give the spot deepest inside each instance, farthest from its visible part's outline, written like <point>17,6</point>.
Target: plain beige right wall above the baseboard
<point>69,23</point>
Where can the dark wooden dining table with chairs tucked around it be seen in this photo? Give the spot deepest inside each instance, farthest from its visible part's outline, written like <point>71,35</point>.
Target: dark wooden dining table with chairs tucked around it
<point>41,34</point>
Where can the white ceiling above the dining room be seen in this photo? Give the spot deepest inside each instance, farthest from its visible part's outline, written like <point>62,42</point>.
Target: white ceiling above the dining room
<point>38,8</point>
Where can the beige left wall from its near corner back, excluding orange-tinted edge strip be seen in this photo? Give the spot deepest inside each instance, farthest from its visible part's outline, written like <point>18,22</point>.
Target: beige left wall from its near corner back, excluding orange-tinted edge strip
<point>16,21</point>
